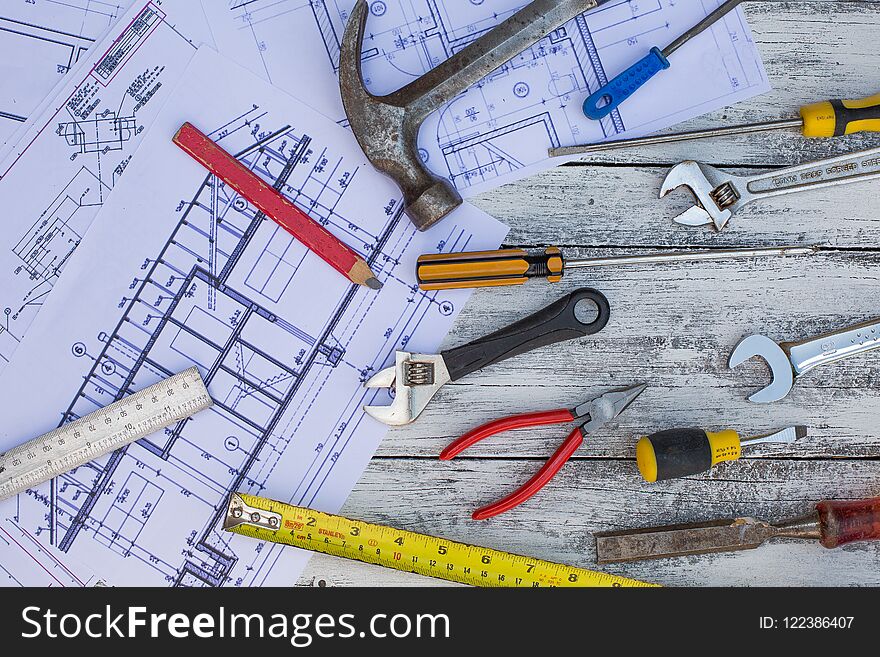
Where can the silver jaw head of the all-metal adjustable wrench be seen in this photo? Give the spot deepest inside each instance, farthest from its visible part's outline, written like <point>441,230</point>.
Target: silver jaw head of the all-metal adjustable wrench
<point>712,189</point>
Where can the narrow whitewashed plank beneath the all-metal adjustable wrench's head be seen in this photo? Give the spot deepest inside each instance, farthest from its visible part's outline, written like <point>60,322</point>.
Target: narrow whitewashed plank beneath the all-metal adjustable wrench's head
<point>620,206</point>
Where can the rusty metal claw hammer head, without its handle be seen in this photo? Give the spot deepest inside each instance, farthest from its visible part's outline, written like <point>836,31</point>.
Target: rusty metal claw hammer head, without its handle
<point>387,129</point>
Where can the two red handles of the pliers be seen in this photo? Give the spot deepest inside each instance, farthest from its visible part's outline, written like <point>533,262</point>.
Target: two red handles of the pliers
<point>544,475</point>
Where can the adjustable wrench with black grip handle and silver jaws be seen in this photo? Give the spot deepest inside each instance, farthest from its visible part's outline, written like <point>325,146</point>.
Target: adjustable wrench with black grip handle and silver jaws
<point>416,378</point>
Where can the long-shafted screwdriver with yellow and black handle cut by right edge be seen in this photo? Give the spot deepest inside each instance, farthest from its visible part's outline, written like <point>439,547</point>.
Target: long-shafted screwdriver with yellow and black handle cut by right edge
<point>829,118</point>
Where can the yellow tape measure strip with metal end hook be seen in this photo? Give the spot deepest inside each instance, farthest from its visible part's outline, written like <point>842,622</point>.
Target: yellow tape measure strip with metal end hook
<point>276,522</point>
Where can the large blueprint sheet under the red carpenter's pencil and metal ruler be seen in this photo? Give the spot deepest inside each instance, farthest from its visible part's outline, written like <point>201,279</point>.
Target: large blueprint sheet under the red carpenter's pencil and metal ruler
<point>178,270</point>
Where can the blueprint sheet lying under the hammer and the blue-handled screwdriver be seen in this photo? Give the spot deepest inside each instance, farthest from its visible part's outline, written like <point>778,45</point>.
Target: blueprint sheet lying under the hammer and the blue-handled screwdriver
<point>500,129</point>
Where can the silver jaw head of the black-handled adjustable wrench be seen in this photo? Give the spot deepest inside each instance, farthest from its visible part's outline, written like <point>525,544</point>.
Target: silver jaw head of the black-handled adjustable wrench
<point>415,378</point>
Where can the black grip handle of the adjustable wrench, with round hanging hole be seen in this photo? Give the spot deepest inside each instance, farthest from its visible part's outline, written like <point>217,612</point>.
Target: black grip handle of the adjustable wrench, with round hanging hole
<point>555,323</point>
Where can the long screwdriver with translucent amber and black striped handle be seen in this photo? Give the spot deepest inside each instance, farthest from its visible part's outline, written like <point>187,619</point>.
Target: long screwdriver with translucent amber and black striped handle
<point>448,271</point>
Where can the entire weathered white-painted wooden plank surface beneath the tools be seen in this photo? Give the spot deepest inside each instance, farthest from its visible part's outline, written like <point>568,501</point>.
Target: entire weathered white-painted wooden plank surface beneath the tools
<point>673,326</point>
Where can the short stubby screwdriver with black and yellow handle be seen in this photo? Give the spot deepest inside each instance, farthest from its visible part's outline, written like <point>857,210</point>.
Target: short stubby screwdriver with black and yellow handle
<point>682,452</point>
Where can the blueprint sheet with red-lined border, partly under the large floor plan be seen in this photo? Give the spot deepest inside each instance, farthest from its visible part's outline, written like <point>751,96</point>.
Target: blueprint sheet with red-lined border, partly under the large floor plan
<point>58,175</point>
